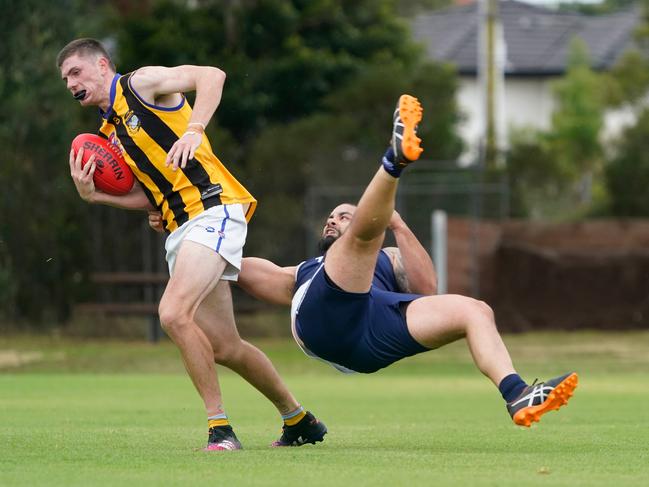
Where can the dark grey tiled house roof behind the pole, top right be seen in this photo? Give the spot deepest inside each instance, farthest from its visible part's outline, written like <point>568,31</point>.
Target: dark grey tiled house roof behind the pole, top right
<point>537,39</point>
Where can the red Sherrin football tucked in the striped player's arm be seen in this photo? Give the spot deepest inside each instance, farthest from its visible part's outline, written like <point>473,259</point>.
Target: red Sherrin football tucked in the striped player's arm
<point>112,174</point>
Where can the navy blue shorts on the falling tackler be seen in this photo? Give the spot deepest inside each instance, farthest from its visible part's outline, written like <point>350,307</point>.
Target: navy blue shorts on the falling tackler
<point>363,332</point>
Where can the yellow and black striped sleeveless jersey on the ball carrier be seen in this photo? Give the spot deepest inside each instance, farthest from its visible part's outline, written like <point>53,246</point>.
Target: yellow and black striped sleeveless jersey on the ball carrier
<point>145,133</point>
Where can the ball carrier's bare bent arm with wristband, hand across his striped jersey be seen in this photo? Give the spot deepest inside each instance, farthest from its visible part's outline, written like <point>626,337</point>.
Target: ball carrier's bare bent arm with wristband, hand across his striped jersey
<point>162,86</point>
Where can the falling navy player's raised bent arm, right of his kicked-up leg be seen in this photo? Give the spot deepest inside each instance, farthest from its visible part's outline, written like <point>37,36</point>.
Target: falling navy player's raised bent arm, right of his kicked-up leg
<point>412,264</point>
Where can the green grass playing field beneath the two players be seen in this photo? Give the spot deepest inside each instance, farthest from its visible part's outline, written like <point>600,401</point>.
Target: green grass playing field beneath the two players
<point>109,413</point>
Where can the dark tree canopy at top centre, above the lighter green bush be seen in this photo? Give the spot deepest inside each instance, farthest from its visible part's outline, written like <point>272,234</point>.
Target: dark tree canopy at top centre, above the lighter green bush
<point>282,57</point>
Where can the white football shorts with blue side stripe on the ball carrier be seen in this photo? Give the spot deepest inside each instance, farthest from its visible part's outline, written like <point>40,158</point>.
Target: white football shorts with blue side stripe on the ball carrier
<point>222,228</point>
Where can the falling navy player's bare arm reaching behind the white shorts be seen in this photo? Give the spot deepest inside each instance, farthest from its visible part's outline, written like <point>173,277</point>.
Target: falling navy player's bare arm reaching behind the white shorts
<point>267,281</point>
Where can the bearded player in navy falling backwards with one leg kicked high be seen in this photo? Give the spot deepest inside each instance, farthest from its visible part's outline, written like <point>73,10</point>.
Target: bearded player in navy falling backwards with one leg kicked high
<point>361,308</point>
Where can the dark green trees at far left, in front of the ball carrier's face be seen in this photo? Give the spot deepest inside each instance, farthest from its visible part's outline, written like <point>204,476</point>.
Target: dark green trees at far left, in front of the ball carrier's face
<point>42,225</point>
